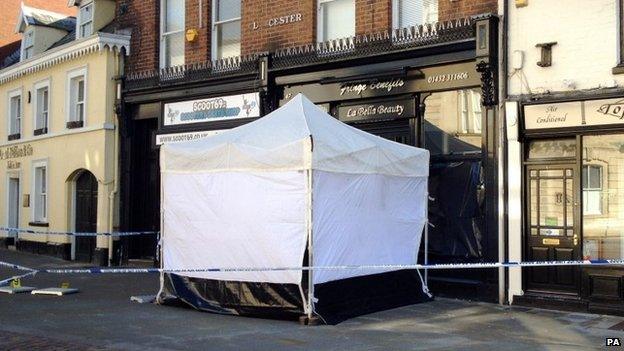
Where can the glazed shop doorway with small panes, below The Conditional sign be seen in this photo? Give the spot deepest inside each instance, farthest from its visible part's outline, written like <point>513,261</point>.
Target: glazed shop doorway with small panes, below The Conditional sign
<point>552,231</point>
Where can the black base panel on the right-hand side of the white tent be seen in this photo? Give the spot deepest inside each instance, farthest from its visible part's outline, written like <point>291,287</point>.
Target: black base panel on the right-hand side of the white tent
<point>348,298</point>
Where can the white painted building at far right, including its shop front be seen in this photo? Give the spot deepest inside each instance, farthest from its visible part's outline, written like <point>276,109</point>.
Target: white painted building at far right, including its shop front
<point>564,114</point>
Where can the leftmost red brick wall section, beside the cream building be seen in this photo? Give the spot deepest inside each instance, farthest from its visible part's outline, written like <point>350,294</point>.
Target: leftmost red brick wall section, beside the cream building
<point>142,17</point>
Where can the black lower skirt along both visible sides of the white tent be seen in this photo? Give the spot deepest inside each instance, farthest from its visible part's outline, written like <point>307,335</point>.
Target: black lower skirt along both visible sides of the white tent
<point>337,301</point>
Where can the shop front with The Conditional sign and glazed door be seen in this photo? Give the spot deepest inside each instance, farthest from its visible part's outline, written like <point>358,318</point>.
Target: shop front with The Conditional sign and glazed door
<point>573,179</point>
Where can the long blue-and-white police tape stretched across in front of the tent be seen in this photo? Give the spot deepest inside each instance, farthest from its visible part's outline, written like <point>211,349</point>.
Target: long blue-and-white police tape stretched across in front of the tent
<point>377,267</point>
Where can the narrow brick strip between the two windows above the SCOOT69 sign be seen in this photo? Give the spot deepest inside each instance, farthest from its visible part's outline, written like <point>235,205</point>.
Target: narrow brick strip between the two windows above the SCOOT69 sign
<point>199,49</point>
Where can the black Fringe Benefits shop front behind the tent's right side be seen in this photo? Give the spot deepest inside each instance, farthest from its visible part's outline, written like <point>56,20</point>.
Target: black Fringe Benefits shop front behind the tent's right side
<point>434,102</point>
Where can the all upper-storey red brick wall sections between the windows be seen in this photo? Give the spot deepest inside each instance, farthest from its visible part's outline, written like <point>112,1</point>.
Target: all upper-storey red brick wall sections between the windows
<point>372,16</point>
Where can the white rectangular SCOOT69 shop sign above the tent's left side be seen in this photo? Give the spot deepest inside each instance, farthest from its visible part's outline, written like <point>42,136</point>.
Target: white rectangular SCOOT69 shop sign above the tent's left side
<point>212,109</point>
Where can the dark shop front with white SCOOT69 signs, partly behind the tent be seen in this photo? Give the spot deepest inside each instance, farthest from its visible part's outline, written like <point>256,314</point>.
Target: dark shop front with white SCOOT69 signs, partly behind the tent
<point>169,106</point>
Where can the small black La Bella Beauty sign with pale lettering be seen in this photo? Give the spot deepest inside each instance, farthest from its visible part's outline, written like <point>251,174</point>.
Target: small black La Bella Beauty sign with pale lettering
<point>377,111</point>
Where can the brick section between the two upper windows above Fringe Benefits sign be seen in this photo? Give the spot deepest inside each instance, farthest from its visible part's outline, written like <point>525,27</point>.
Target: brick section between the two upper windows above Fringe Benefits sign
<point>372,16</point>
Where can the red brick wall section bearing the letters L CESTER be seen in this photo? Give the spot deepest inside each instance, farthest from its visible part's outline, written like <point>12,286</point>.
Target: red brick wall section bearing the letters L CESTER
<point>258,36</point>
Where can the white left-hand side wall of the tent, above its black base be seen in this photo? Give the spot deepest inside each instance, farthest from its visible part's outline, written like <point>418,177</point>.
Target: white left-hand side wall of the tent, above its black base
<point>235,220</point>
